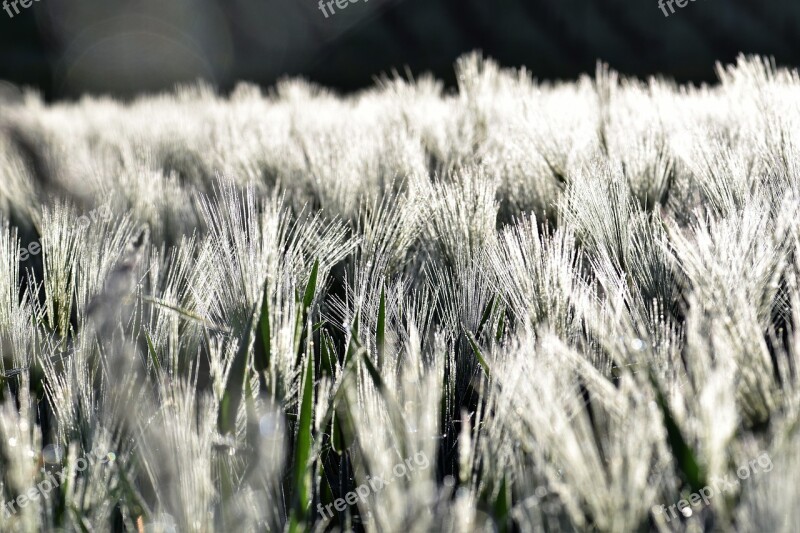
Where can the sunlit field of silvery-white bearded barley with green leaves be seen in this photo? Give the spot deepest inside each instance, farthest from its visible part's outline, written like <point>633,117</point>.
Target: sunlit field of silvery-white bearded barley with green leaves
<point>516,306</point>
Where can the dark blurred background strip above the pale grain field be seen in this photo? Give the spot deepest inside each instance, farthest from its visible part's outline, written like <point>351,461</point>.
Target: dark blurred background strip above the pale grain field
<point>123,48</point>
